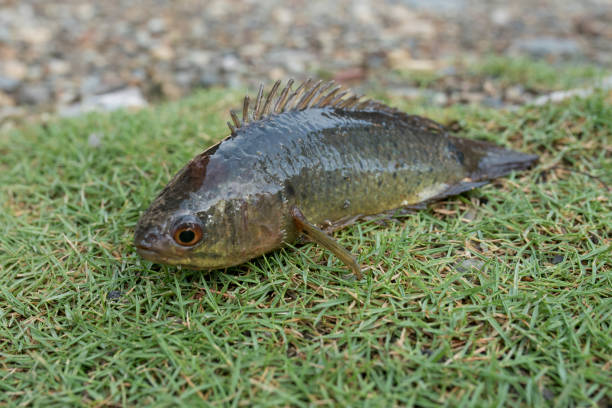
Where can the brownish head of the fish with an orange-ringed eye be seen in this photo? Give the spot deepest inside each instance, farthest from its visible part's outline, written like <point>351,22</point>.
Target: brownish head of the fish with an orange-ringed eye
<point>202,220</point>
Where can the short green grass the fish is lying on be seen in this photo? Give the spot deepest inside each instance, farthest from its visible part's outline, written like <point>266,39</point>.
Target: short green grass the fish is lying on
<point>499,297</point>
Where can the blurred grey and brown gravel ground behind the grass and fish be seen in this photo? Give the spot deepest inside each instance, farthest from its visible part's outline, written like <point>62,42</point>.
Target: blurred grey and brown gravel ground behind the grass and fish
<point>77,55</point>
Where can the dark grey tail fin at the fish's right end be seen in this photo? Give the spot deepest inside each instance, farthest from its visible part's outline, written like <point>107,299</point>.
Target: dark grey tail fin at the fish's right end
<point>487,161</point>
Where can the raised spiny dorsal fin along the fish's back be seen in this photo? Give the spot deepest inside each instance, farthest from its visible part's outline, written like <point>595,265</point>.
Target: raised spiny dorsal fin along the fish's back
<point>309,94</point>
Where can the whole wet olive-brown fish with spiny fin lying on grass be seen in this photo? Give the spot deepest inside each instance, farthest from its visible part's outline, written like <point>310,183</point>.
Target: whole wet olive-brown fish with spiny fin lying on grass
<point>305,162</point>
